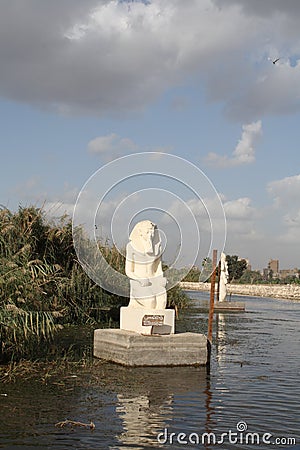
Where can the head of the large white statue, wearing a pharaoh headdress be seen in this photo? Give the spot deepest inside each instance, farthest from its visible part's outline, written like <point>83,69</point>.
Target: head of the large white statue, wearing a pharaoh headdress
<point>145,237</point>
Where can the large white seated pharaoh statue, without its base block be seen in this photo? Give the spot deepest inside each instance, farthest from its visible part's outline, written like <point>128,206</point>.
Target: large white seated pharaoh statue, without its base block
<point>144,267</point>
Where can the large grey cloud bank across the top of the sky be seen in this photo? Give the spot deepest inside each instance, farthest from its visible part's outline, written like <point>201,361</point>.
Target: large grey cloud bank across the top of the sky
<point>106,56</point>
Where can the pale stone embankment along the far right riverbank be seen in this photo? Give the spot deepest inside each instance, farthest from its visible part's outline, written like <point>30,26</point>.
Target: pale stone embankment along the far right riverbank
<point>285,291</point>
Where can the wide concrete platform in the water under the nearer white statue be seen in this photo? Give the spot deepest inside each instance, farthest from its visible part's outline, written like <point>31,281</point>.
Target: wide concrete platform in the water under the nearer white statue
<point>133,349</point>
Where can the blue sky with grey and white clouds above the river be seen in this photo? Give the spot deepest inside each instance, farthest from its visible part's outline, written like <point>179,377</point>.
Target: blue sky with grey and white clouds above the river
<point>84,83</point>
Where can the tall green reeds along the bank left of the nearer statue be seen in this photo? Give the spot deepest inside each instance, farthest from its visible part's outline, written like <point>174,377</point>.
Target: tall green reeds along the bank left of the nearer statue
<point>44,288</point>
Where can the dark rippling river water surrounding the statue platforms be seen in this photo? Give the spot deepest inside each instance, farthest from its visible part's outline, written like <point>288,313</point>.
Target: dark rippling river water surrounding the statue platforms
<point>248,400</point>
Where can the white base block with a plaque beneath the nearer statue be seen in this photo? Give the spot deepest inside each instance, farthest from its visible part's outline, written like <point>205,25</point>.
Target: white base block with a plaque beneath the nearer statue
<point>147,321</point>
